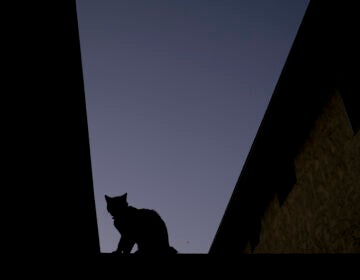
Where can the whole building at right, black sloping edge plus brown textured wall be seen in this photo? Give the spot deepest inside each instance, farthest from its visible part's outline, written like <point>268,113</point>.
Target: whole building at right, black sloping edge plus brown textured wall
<point>299,189</point>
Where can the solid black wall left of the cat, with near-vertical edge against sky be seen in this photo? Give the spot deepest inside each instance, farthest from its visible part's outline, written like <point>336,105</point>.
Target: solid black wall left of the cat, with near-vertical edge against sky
<point>51,203</point>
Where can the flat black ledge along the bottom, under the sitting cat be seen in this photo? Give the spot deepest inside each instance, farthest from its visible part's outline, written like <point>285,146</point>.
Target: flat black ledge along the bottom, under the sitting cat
<point>183,266</point>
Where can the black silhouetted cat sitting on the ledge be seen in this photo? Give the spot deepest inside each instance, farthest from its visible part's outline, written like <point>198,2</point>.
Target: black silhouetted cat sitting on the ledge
<point>143,227</point>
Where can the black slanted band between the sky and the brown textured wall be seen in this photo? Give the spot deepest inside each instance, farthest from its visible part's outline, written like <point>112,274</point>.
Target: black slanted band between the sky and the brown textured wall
<point>323,58</point>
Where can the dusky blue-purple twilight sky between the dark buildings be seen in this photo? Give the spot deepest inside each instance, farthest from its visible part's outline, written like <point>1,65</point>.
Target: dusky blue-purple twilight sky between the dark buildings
<point>175,92</point>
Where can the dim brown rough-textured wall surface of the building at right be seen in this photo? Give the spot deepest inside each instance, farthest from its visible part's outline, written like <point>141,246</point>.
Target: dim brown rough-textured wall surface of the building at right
<point>322,212</point>
